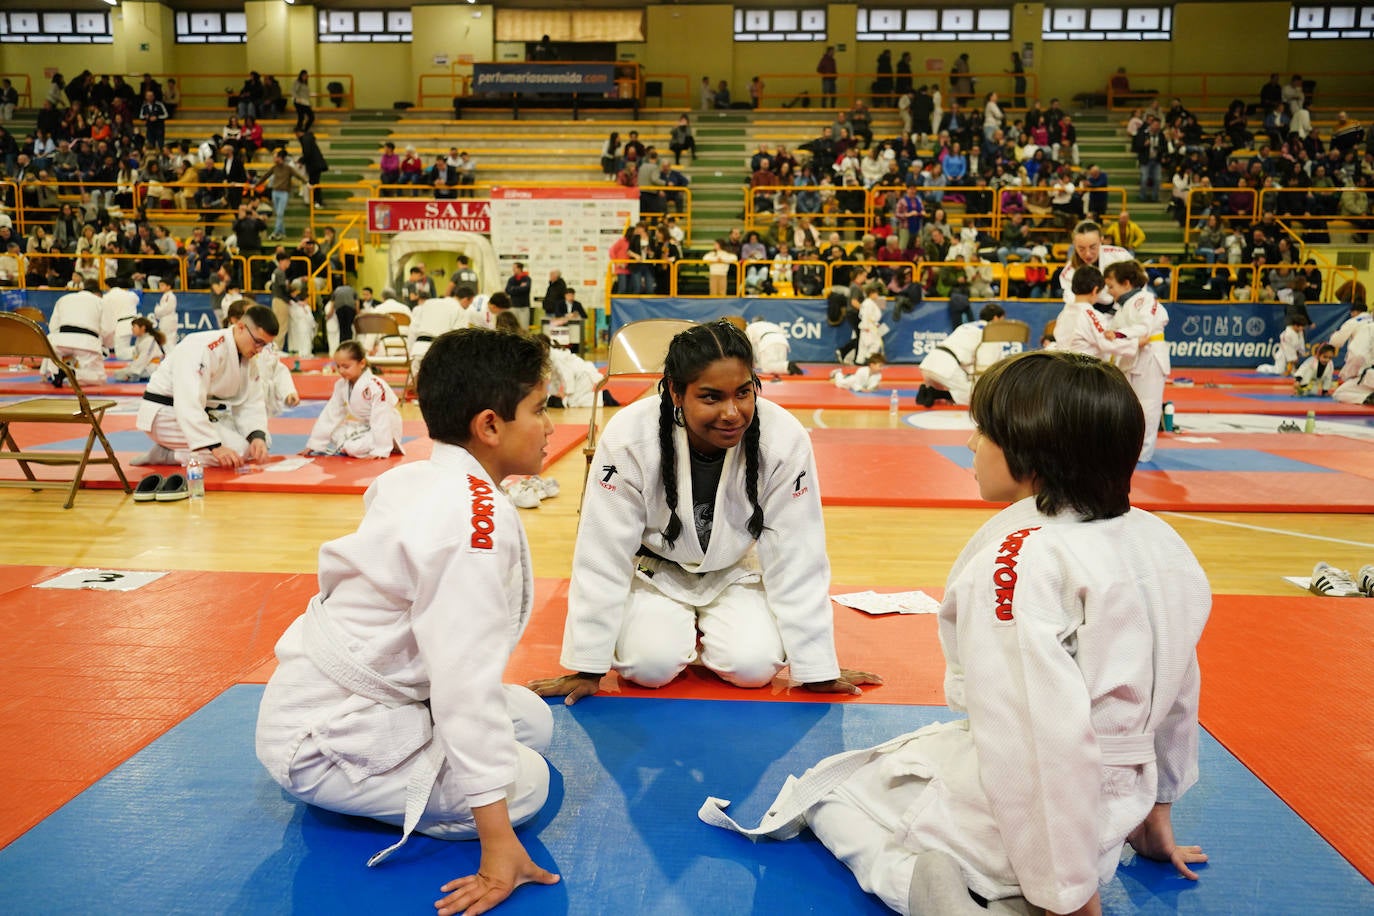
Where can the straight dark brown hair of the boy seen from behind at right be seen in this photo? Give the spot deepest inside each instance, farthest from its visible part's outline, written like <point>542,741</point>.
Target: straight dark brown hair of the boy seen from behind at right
<point>1068,422</point>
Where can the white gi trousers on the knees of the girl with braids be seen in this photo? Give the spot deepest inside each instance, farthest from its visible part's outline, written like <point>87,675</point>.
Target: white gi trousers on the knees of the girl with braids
<point>740,638</point>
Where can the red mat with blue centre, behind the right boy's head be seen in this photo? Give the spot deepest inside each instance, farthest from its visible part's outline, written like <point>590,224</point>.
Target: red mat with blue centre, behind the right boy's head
<point>930,469</point>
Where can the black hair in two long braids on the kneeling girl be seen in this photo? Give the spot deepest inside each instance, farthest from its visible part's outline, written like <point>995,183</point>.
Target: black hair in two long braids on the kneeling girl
<point>689,355</point>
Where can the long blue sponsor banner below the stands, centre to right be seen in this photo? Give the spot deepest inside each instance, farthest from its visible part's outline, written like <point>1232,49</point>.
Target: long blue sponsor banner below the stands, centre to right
<point>1232,336</point>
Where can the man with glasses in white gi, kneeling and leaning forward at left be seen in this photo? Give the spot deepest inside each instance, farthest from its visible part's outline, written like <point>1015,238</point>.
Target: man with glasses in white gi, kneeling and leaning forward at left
<point>207,398</point>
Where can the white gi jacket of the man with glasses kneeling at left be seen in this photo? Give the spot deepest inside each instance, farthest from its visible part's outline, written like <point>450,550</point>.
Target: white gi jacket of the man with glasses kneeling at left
<point>200,376</point>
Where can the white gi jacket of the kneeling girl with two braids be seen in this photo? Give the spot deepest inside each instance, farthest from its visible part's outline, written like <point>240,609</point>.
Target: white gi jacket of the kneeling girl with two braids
<point>624,510</point>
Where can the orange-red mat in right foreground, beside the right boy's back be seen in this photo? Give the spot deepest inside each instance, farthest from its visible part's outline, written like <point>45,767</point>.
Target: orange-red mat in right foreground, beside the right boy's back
<point>1287,689</point>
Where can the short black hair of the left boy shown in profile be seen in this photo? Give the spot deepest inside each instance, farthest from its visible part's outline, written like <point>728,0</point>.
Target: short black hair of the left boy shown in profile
<point>475,370</point>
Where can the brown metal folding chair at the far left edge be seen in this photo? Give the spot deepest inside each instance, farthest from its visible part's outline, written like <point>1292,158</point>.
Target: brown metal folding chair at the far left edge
<point>24,339</point>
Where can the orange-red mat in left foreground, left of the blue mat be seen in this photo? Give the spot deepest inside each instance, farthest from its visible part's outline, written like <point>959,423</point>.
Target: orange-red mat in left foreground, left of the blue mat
<point>89,679</point>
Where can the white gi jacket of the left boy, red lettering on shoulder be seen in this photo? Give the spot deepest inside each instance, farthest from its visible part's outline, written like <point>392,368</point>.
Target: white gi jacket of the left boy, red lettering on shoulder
<point>407,641</point>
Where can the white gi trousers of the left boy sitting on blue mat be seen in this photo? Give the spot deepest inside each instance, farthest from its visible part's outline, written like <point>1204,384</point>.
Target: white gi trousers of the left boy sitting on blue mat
<point>318,781</point>
